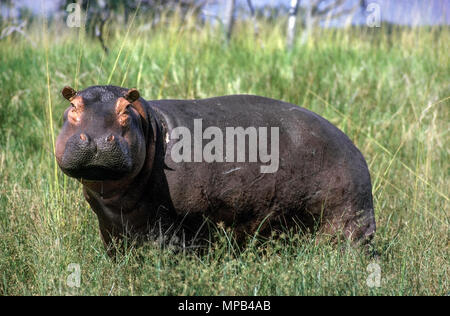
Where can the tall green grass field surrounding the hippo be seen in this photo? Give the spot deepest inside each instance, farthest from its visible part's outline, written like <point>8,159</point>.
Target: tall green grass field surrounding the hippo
<point>388,91</point>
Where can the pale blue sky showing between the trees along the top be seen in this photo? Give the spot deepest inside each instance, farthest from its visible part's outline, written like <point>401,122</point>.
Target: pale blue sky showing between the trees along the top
<point>409,12</point>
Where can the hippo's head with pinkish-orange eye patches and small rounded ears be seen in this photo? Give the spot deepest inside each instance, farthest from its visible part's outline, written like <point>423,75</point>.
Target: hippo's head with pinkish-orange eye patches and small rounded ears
<point>103,136</point>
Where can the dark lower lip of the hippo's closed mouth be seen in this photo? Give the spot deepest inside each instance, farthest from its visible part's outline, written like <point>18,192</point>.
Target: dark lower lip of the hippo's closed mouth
<point>97,173</point>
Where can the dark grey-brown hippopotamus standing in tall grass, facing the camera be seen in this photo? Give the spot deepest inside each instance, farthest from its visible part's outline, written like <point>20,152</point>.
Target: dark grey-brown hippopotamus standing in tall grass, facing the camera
<point>175,169</point>
